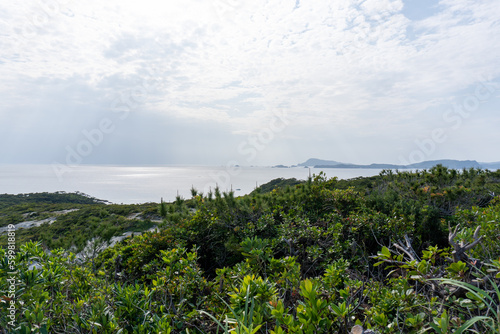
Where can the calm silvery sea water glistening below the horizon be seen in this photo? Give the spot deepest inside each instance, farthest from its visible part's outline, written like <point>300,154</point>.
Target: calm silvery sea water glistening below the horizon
<point>124,184</point>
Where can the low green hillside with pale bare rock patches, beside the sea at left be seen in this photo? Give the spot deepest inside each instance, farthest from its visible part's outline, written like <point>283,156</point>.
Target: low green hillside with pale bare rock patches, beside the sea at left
<point>71,220</point>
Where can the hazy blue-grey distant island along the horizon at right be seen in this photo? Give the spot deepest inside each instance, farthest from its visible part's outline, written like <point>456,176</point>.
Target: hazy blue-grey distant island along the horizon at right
<point>449,163</point>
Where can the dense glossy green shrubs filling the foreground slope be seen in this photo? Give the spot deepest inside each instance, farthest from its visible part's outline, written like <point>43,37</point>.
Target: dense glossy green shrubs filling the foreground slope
<point>401,252</point>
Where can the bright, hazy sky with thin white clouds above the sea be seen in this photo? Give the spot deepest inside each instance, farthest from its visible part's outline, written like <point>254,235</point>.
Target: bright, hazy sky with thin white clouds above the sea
<point>260,82</point>
